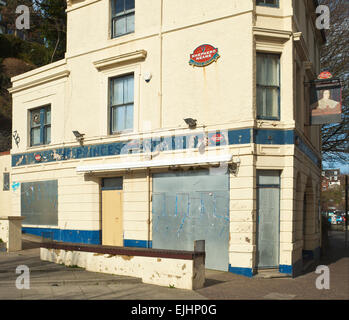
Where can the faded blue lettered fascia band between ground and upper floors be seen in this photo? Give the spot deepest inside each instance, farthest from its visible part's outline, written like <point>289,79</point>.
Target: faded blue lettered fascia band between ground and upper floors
<point>181,142</point>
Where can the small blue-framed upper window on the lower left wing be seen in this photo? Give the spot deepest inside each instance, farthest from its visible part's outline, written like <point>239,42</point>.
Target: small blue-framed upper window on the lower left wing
<point>40,126</point>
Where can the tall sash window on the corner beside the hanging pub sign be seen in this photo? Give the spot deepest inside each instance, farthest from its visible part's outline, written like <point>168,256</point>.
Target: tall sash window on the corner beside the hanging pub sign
<point>268,86</point>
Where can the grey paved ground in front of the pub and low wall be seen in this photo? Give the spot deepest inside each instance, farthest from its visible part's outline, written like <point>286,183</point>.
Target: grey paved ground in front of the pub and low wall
<point>51,281</point>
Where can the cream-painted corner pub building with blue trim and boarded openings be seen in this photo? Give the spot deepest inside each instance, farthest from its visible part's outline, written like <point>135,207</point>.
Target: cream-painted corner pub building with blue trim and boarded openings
<point>174,121</point>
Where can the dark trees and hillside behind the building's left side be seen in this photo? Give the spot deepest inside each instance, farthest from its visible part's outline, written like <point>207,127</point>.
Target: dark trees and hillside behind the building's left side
<point>45,43</point>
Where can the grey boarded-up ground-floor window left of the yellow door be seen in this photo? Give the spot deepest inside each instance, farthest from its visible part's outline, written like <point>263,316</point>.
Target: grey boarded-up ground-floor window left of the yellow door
<point>39,202</point>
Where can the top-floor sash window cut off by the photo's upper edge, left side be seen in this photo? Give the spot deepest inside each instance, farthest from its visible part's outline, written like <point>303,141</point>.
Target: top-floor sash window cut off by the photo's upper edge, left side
<point>123,17</point>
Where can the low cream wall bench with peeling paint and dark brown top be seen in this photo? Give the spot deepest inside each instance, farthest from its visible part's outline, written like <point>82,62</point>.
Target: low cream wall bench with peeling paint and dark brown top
<point>169,268</point>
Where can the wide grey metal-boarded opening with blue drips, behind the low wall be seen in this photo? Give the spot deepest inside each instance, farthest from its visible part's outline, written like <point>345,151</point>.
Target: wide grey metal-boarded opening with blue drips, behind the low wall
<point>189,206</point>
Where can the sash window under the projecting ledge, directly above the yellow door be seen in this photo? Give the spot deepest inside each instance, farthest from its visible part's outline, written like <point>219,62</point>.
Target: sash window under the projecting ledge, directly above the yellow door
<point>122,103</point>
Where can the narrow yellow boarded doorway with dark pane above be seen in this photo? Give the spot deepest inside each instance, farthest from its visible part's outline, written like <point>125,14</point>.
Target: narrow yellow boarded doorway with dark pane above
<point>112,217</point>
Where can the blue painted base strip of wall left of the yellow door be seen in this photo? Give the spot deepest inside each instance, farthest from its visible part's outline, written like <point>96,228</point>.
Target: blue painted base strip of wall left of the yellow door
<point>74,236</point>
